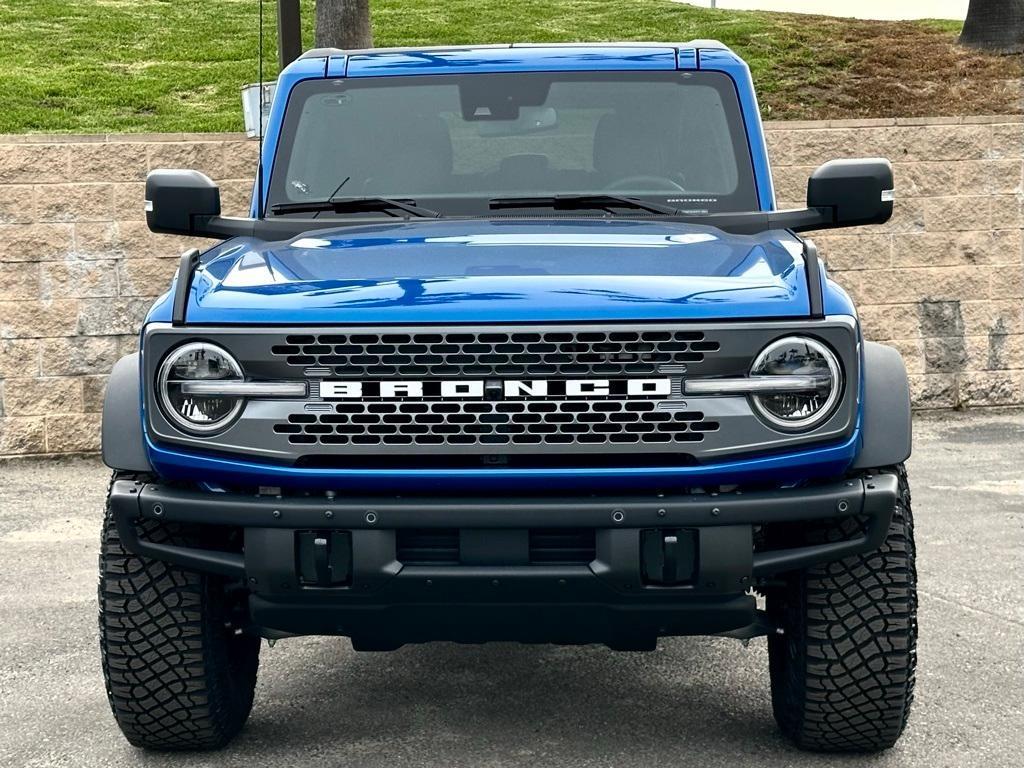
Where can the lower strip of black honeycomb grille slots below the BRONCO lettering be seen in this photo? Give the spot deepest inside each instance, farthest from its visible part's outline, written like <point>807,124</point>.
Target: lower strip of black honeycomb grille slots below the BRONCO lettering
<point>497,424</point>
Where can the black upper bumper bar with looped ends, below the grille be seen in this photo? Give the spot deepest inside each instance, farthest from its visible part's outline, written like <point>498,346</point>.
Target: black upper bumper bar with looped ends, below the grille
<point>871,497</point>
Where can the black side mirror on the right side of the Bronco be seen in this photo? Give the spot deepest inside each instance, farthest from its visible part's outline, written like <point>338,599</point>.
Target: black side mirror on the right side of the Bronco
<point>860,192</point>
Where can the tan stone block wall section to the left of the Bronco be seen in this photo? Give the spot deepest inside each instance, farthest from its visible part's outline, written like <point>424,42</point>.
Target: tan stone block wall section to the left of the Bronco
<point>79,270</point>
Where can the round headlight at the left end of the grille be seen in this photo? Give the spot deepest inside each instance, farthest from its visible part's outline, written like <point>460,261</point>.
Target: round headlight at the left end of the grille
<point>198,413</point>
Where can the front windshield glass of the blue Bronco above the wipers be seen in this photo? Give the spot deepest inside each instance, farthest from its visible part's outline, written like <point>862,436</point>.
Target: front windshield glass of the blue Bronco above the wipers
<point>455,144</point>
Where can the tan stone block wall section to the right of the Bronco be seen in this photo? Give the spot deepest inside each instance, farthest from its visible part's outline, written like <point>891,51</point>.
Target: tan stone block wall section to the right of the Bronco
<point>944,281</point>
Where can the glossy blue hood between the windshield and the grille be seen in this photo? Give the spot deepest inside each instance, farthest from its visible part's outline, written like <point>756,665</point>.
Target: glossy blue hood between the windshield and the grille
<point>501,272</point>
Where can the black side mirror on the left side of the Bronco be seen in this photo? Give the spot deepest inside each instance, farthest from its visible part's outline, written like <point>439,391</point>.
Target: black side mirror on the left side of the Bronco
<point>181,202</point>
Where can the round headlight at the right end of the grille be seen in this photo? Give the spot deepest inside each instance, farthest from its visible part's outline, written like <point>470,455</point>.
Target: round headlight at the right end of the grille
<point>804,408</point>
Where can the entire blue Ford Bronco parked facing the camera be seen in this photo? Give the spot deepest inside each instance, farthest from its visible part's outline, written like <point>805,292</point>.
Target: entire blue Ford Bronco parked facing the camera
<point>515,346</point>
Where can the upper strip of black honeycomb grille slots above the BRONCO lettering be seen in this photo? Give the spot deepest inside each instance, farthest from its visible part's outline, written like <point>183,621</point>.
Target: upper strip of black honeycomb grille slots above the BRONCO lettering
<point>495,354</point>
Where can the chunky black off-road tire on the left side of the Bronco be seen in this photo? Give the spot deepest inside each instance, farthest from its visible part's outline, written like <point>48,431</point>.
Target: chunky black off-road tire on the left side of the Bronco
<point>179,676</point>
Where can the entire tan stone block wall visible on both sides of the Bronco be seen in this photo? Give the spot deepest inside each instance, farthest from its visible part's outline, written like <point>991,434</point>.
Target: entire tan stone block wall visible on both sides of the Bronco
<point>944,281</point>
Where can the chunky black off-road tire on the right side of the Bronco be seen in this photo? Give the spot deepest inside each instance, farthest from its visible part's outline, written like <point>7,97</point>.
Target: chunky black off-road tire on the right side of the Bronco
<point>843,671</point>
